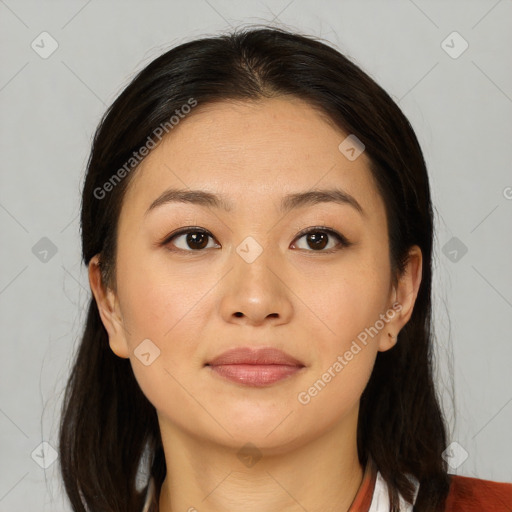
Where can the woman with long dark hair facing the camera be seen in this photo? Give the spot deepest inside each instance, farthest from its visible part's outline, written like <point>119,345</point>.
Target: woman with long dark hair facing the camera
<point>257,225</point>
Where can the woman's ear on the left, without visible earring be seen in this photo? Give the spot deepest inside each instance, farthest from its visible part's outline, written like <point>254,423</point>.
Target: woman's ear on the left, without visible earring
<point>108,307</point>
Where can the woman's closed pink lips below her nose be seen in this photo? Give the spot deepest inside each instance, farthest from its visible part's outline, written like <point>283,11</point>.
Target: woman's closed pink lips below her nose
<point>255,366</point>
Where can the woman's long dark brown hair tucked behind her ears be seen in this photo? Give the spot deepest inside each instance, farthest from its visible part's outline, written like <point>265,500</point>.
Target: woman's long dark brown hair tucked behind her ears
<point>108,427</point>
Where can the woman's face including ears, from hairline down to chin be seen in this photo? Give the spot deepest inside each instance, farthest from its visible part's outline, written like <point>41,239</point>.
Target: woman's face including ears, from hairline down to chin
<point>253,278</point>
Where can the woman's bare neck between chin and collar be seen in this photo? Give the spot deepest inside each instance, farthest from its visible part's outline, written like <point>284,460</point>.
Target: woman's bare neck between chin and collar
<point>321,475</point>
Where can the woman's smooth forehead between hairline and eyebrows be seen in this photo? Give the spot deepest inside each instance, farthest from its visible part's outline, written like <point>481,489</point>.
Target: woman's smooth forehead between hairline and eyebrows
<point>253,152</point>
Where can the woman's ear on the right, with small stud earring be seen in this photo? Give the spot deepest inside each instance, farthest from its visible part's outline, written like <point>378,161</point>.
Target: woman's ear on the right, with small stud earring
<point>403,298</point>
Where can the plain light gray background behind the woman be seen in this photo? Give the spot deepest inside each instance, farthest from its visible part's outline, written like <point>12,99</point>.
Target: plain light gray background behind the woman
<point>460,108</point>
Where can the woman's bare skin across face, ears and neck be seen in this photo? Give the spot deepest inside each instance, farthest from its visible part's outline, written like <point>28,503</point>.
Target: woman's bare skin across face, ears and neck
<point>309,303</point>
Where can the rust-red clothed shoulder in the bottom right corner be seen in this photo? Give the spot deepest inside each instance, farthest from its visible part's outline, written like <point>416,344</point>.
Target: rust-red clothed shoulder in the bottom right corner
<point>474,494</point>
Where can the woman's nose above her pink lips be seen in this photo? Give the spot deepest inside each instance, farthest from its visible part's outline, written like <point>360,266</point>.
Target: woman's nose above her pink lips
<point>256,292</point>
